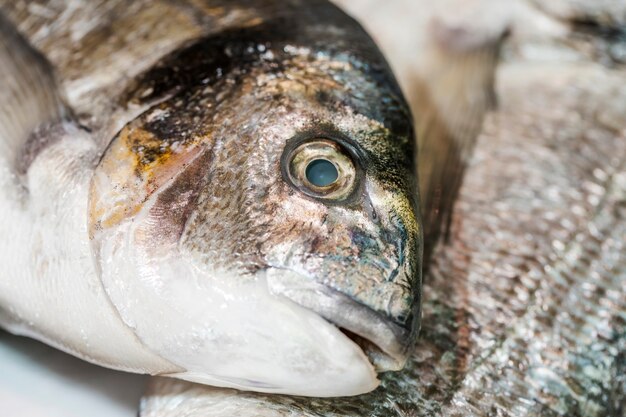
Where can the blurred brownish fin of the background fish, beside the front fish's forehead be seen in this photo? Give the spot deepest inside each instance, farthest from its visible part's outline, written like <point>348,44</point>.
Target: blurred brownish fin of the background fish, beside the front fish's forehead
<point>451,94</point>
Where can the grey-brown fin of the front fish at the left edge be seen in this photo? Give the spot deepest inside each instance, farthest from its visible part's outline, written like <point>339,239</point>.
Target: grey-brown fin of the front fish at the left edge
<point>29,97</point>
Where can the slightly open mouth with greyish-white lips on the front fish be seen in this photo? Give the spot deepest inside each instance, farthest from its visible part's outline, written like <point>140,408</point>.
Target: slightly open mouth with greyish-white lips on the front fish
<point>385,343</point>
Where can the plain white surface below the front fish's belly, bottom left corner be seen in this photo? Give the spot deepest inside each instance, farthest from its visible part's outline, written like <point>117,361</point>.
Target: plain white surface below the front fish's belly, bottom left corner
<point>39,381</point>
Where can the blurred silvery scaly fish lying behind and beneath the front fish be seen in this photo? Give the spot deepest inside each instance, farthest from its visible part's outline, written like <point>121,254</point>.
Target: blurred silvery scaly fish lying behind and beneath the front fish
<point>524,299</point>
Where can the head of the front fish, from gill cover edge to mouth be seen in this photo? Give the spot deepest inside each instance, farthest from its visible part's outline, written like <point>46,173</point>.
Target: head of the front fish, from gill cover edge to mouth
<point>262,232</point>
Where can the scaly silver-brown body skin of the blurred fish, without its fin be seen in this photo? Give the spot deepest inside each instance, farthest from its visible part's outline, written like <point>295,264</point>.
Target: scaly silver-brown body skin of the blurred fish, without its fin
<point>524,308</point>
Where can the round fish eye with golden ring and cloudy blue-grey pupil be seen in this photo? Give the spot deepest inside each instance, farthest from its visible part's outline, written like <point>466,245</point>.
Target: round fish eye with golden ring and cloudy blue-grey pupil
<point>322,168</point>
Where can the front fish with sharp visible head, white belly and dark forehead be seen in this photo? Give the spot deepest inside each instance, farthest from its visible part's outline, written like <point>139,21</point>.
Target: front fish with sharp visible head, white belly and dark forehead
<point>223,192</point>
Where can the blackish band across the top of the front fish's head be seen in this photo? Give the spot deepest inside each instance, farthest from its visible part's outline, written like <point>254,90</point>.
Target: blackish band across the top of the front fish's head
<point>323,31</point>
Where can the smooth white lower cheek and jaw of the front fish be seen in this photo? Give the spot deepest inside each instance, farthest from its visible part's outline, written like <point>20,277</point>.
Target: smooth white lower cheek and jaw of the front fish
<point>225,329</point>
